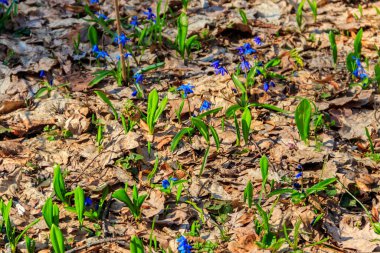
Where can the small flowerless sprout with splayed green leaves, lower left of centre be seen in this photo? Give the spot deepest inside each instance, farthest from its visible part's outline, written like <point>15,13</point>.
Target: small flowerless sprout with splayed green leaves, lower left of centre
<point>133,204</point>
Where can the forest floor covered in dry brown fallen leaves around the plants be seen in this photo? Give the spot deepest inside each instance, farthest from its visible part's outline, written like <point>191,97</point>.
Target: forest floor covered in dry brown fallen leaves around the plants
<point>60,124</point>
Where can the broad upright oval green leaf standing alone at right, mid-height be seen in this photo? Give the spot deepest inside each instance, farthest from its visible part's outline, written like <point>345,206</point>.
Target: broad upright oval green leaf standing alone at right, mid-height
<point>302,117</point>
